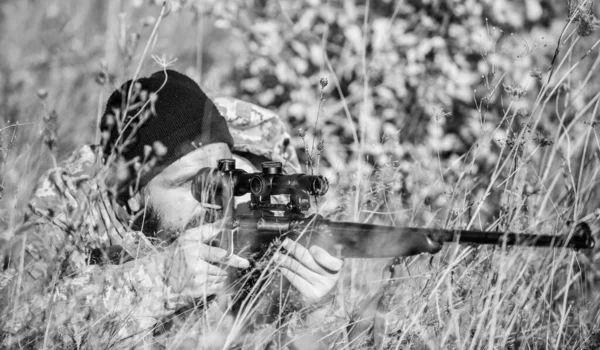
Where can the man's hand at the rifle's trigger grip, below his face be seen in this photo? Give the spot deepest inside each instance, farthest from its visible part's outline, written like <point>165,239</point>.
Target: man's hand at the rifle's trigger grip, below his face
<point>190,270</point>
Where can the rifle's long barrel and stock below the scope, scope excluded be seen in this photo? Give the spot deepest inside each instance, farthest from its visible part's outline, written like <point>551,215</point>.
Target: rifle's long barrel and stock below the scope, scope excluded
<point>356,240</point>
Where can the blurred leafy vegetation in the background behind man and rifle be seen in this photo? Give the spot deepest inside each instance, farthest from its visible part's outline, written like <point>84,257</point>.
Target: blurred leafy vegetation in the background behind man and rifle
<point>413,86</point>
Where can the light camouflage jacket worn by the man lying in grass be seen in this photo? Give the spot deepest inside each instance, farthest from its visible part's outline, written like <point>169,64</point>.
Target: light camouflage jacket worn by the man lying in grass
<point>50,293</point>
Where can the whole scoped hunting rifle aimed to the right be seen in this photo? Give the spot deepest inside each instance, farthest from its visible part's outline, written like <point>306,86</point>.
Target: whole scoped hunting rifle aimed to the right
<point>250,230</point>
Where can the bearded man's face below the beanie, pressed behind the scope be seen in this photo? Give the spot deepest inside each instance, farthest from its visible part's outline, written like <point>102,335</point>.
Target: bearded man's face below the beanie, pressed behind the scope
<point>168,195</point>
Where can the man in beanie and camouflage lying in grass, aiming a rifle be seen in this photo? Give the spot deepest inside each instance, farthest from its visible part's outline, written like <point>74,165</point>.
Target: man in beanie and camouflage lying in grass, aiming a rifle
<point>115,245</point>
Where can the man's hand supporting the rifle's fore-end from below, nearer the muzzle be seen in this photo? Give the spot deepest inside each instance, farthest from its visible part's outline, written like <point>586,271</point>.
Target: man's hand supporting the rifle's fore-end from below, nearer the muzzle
<point>314,272</point>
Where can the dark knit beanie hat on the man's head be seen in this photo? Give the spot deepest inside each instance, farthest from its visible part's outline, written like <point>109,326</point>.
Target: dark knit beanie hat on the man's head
<point>167,116</point>
